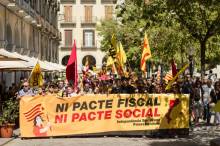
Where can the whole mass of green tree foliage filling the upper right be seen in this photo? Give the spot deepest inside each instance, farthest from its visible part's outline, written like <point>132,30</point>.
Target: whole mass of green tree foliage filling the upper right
<point>174,28</point>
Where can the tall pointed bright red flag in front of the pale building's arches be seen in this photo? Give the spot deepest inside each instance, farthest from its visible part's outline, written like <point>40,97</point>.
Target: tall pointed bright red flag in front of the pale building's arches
<point>71,68</point>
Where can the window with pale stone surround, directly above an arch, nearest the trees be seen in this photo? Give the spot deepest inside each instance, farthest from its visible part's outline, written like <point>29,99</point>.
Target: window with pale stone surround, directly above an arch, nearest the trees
<point>88,38</point>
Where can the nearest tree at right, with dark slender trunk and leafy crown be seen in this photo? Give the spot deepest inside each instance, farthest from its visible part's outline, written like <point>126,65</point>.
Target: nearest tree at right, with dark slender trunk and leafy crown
<point>201,18</point>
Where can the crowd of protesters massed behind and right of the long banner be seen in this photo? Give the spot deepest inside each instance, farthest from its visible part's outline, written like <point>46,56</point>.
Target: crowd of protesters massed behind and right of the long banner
<point>204,93</point>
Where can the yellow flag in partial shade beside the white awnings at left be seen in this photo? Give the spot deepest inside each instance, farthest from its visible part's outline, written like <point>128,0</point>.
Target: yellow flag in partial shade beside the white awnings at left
<point>36,77</point>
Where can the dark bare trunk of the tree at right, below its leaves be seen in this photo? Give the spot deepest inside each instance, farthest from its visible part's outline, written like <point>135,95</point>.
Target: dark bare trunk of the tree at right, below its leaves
<point>202,50</point>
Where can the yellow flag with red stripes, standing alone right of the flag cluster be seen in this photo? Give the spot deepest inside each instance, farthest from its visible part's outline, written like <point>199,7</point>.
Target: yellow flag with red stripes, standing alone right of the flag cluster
<point>146,54</point>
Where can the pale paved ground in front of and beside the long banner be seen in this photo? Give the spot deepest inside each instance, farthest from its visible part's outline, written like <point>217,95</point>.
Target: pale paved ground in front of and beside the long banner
<point>199,137</point>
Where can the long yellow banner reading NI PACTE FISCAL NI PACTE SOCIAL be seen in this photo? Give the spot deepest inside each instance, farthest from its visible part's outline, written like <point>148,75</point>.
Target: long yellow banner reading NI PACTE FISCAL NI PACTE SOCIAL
<point>51,116</point>
